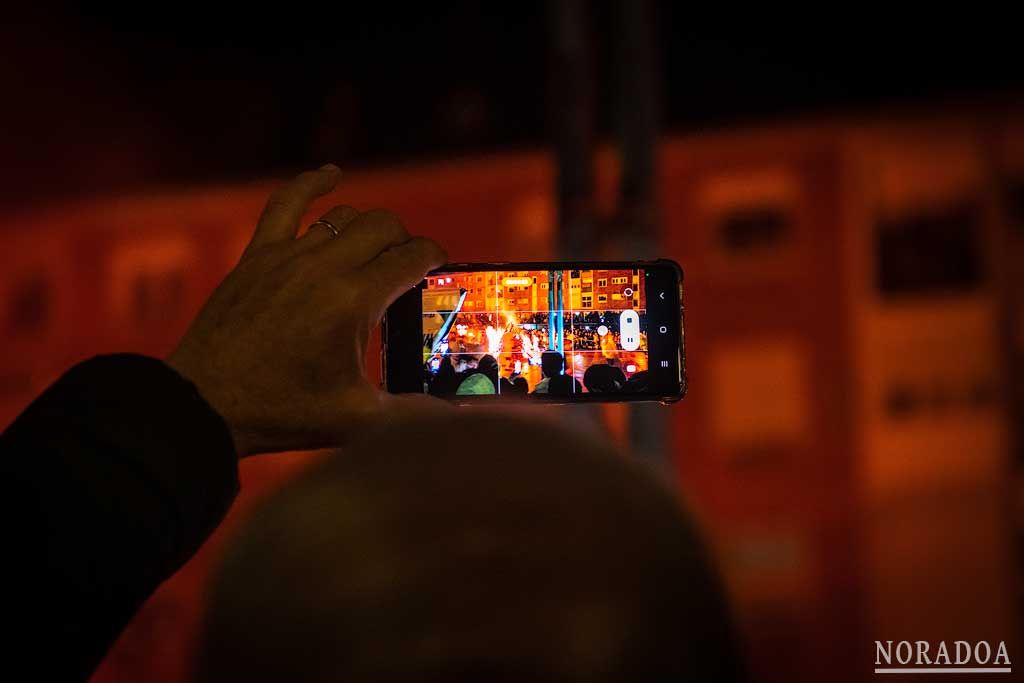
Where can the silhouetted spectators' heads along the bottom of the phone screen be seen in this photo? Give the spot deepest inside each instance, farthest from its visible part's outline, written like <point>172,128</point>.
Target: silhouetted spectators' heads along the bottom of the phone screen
<point>471,376</point>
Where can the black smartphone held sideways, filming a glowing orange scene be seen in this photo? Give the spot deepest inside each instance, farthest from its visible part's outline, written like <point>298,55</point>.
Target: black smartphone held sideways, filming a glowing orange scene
<point>553,331</point>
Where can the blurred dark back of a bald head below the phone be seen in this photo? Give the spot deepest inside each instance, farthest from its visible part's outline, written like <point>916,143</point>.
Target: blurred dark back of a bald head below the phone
<point>470,546</point>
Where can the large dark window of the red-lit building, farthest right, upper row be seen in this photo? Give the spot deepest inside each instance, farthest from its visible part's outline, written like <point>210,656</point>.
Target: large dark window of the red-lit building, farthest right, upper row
<point>931,251</point>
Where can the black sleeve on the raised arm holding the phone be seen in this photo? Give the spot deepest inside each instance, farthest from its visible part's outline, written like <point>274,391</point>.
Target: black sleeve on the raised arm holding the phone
<point>114,478</point>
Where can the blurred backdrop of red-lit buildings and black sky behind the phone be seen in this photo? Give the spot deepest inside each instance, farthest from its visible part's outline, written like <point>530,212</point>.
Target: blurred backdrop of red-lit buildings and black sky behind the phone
<point>846,196</point>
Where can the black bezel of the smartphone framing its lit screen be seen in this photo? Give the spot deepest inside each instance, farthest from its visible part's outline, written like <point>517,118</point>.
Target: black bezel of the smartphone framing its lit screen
<point>401,326</point>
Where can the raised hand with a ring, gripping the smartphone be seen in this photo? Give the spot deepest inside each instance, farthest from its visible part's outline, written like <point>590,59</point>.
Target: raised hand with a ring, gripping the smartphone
<point>279,350</point>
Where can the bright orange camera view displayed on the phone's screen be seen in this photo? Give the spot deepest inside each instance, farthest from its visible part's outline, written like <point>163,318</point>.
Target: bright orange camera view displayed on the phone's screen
<point>535,332</point>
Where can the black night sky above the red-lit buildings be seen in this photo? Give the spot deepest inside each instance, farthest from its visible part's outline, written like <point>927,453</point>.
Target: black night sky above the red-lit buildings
<point>122,98</point>
